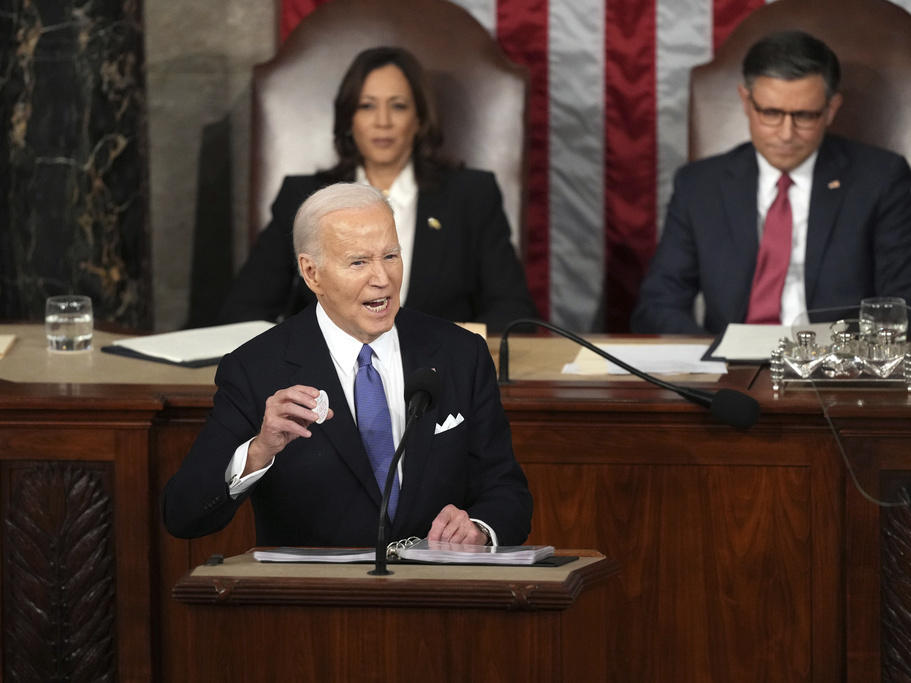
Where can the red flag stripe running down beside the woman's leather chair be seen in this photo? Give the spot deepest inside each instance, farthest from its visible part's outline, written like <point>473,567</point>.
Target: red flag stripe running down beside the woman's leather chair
<point>522,32</point>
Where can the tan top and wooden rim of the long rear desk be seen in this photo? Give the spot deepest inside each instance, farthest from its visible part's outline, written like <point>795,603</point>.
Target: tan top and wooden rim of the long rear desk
<point>30,372</point>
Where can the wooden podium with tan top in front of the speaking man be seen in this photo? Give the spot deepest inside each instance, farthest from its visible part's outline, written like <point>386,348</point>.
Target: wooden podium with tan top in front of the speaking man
<point>251,621</point>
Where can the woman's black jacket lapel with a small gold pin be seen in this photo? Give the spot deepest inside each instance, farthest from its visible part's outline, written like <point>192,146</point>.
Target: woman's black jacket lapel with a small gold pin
<point>429,246</point>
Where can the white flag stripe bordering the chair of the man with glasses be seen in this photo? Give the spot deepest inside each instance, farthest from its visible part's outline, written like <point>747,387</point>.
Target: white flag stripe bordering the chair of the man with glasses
<point>684,39</point>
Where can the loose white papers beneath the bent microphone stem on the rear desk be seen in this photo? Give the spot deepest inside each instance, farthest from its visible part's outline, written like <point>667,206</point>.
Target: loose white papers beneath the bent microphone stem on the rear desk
<point>674,359</point>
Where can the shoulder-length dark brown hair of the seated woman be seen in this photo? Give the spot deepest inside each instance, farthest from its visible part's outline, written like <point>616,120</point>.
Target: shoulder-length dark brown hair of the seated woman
<point>426,154</point>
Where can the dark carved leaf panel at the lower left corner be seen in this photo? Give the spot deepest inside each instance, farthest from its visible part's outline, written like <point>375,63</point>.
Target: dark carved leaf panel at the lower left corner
<point>58,572</point>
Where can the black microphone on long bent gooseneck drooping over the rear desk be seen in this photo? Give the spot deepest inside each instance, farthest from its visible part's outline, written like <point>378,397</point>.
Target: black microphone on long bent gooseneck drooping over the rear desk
<point>727,405</point>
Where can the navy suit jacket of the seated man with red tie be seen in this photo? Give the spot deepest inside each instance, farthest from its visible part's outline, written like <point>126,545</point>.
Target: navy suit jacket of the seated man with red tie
<point>858,237</point>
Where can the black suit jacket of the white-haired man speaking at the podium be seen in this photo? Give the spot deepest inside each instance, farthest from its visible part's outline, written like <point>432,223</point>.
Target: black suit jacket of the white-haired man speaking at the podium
<point>321,491</point>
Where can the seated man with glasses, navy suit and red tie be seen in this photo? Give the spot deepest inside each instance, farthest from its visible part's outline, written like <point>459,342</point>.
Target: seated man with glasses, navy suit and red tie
<point>794,220</point>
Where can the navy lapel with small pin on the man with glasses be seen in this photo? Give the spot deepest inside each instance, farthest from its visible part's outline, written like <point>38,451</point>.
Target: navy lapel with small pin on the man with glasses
<point>830,180</point>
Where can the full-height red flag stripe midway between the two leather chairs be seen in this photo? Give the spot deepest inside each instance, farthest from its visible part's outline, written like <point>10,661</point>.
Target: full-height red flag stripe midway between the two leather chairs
<point>630,155</point>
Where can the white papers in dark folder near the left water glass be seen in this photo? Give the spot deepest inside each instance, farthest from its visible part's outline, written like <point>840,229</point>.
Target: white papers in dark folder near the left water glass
<point>191,348</point>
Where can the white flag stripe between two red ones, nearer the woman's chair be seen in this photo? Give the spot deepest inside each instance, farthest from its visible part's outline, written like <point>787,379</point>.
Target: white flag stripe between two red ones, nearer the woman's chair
<point>576,85</point>
